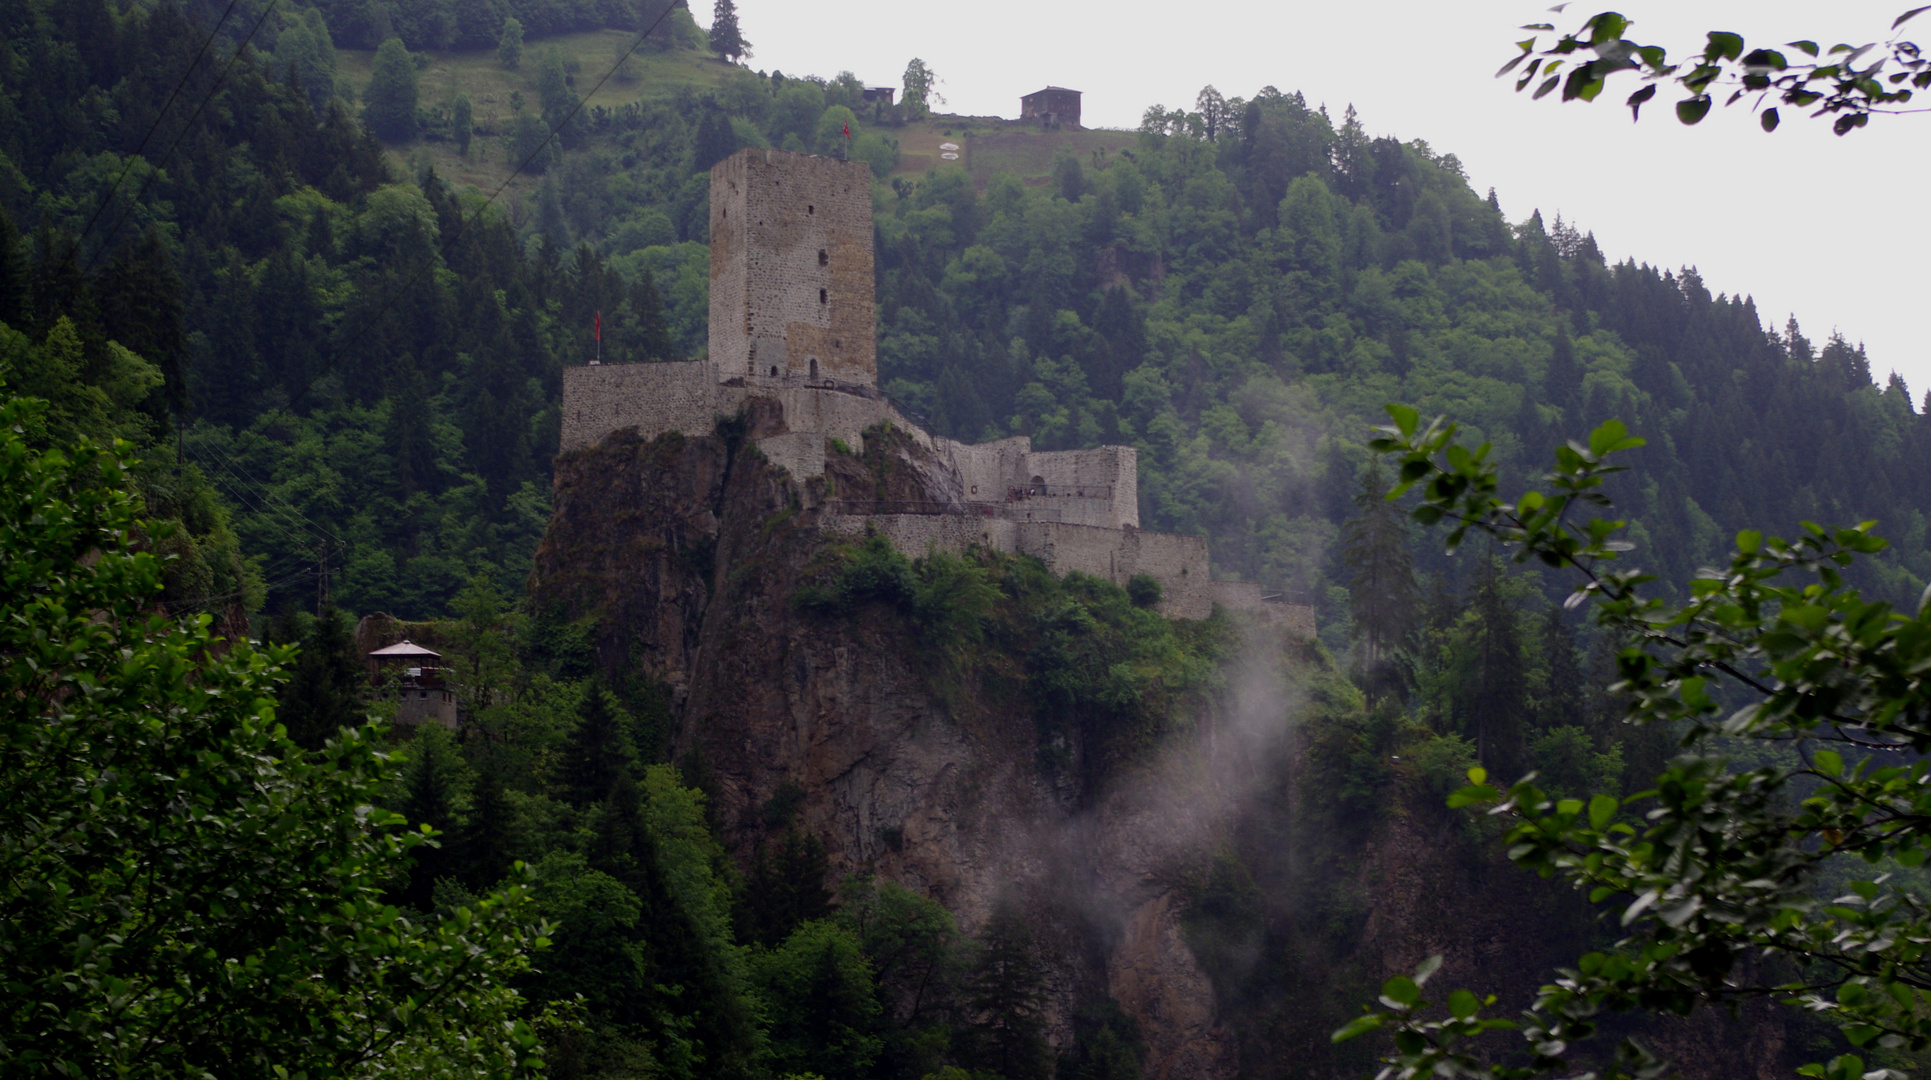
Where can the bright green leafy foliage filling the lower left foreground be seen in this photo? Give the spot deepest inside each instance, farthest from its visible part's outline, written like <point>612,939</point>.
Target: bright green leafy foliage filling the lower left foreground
<point>119,959</point>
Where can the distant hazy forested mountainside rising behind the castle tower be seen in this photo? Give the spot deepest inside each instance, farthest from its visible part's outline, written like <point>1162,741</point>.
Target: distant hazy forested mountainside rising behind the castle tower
<point>1233,306</point>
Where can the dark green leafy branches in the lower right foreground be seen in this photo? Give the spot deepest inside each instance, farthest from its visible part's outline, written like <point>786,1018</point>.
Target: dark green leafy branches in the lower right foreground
<point>1716,861</point>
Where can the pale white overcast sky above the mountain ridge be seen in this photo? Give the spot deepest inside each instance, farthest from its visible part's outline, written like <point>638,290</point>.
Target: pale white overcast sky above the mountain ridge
<point>1808,223</point>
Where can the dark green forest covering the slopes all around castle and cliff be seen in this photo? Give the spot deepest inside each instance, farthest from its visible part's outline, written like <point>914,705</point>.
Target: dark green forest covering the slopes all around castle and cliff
<point>339,376</point>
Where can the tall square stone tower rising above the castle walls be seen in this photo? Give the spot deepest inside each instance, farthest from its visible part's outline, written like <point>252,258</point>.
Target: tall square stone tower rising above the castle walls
<point>791,270</point>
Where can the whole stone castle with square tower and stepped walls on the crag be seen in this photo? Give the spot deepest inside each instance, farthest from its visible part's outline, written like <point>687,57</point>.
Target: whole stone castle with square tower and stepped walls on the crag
<point>793,322</point>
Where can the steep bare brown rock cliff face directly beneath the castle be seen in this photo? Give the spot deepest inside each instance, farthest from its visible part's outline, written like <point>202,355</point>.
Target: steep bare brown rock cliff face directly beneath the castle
<point>690,552</point>
